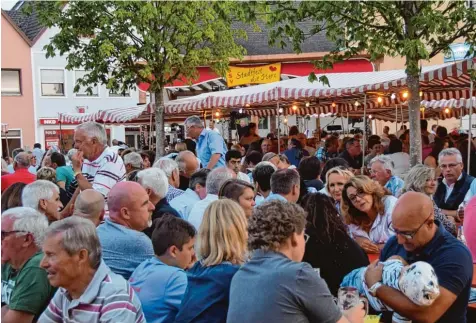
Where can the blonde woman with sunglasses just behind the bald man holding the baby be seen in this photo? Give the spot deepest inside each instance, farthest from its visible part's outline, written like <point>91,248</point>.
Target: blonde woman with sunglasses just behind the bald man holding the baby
<point>422,179</point>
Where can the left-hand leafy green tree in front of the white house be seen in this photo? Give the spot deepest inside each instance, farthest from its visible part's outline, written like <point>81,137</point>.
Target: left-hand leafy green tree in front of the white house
<point>121,43</point>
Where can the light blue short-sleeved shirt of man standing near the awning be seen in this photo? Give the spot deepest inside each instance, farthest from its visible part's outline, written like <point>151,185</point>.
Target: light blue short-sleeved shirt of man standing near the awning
<point>209,143</point>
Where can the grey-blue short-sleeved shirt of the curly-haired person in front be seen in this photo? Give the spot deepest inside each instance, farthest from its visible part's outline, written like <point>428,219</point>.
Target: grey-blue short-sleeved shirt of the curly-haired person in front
<point>295,293</point>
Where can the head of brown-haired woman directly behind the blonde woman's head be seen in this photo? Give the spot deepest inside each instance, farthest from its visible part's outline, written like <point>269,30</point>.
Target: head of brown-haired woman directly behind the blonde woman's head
<point>241,192</point>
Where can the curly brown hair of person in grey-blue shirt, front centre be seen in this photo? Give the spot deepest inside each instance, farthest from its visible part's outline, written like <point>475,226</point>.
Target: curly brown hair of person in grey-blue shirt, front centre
<point>273,222</point>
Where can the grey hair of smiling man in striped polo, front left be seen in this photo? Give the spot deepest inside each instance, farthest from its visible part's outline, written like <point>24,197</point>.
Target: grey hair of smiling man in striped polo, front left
<point>77,234</point>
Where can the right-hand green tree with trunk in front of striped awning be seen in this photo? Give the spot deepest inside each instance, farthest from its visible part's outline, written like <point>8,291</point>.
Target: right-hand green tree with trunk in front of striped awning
<point>415,30</point>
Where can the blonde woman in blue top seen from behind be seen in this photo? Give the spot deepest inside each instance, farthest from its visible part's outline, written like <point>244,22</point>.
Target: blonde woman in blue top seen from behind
<point>221,244</point>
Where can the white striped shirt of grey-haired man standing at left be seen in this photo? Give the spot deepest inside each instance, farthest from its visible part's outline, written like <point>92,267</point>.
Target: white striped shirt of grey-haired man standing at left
<point>104,172</point>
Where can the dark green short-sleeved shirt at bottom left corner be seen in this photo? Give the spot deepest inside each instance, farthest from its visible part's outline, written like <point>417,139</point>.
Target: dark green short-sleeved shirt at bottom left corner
<point>27,289</point>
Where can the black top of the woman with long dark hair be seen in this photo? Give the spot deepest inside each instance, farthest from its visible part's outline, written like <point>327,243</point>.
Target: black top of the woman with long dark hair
<point>335,259</point>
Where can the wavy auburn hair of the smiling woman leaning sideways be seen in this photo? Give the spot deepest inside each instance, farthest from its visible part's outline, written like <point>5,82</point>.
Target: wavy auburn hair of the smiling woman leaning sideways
<point>362,184</point>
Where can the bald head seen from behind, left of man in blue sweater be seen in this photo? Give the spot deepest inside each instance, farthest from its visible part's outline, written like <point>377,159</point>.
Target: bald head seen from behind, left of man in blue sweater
<point>90,205</point>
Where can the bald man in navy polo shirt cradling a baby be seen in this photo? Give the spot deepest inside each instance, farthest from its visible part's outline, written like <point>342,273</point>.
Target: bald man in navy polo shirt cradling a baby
<point>419,237</point>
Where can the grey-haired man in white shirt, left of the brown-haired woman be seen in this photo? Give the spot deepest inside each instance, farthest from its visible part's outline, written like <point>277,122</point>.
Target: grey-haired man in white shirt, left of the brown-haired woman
<point>214,181</point>
